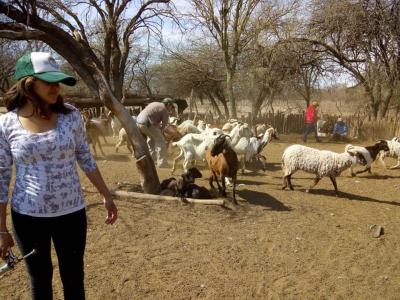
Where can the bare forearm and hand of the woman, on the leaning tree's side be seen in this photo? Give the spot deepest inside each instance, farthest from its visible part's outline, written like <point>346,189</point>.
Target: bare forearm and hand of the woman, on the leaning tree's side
<point>97,180</point>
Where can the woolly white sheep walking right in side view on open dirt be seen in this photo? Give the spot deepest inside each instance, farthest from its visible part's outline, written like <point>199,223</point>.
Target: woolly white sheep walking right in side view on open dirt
<point>320,162</point>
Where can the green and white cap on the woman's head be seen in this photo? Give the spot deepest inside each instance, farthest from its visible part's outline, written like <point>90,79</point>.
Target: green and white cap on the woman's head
<point>42,66</point>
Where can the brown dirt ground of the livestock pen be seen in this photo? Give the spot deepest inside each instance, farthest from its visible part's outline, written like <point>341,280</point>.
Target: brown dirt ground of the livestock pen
<point>275,245</point>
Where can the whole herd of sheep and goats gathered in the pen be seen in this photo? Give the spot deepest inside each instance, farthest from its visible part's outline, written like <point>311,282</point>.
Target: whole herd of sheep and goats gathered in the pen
<point>230,148</point>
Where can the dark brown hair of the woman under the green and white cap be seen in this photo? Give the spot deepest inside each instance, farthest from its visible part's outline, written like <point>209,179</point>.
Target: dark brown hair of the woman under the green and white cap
<point>20,92</point>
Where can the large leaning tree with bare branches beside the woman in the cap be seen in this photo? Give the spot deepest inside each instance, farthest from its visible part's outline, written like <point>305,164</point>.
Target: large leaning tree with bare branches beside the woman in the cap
<point>95,37</point>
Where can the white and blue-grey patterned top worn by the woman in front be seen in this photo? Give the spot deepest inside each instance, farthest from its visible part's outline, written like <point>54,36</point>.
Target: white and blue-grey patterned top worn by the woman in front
<point>47,182</point>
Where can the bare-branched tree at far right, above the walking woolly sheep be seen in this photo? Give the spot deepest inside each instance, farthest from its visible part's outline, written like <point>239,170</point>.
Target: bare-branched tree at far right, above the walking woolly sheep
<point>364,38</point>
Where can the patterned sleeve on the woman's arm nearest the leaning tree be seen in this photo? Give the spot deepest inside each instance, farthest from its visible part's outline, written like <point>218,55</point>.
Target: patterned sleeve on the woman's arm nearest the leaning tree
<point>85,159</point>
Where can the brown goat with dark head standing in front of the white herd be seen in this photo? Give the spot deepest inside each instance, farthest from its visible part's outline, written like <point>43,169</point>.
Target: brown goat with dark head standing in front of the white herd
<point>223,162</point>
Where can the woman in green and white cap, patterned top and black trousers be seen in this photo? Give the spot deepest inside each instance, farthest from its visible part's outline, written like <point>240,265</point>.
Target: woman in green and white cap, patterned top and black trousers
<point>45,139</point>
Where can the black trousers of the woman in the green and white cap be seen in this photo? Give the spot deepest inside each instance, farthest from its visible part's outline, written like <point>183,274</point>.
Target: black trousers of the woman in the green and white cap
<point>68,233</point>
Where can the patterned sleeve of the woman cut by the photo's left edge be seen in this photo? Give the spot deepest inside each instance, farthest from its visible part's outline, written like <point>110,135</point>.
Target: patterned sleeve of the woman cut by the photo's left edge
<point>5,166</point>
